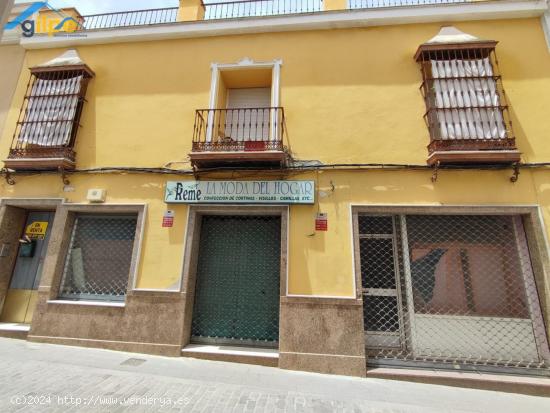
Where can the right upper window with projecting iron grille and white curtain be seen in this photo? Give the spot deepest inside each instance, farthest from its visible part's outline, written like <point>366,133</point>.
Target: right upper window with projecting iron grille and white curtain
<point>466,106</point>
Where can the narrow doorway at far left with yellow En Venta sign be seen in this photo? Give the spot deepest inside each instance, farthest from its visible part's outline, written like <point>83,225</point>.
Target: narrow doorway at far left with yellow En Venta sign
<point>32,247</point>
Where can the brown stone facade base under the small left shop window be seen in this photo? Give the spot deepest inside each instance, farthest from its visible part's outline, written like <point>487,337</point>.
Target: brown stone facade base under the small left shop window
<point>149,322</point>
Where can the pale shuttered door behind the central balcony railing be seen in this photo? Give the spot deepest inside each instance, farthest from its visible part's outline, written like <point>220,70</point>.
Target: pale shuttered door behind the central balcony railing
<point>248,114</point>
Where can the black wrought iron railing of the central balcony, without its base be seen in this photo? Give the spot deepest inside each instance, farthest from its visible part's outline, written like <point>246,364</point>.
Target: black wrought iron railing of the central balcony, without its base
<point>239,130</point>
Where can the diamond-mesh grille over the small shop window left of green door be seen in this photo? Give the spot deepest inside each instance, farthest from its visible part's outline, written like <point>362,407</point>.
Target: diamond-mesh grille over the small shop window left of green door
<point>100,253</point>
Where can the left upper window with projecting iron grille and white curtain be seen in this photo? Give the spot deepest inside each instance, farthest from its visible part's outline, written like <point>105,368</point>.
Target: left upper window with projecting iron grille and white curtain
<point>50,115</point>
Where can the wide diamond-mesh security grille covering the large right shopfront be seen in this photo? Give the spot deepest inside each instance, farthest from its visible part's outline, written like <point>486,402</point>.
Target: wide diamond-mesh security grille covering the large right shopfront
<point>450,289</point>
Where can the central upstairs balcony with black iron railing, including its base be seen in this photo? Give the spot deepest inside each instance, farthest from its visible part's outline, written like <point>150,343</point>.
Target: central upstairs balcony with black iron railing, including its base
<point>239,137</point>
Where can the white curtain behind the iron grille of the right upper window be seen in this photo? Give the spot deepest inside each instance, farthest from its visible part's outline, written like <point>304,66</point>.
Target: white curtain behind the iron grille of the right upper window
<point>462,103</point>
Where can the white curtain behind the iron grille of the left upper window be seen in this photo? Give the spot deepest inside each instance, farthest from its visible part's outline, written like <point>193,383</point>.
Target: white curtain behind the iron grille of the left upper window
<point>50,113</point>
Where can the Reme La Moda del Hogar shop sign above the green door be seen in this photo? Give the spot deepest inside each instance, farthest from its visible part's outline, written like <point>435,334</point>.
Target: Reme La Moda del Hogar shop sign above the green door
<point>240,192</point>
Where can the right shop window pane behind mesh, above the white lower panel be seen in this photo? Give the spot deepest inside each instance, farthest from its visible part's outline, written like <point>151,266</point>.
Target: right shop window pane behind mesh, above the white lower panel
<point>466,266</point>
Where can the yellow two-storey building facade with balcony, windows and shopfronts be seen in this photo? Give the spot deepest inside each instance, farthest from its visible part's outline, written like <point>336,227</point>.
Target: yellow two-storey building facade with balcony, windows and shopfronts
<point>382,256</point>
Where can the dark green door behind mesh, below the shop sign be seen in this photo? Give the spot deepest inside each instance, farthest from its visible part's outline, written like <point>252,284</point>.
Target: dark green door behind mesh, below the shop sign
<point>237,283</point>
